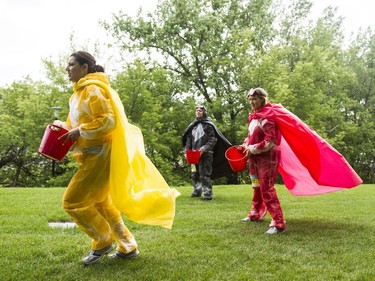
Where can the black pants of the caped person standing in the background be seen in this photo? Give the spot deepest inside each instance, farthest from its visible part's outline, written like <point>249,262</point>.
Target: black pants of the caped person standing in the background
<point>202,176</point>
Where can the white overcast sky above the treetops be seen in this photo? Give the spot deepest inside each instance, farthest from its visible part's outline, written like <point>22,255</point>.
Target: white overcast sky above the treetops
<point>31,30</point>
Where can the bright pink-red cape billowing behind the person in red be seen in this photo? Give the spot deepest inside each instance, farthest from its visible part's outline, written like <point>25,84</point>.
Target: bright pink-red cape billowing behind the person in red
<point>308,164</point>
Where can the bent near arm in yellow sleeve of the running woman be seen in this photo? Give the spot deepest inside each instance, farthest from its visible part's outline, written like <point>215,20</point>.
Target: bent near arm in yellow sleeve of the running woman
<point>102,120</point>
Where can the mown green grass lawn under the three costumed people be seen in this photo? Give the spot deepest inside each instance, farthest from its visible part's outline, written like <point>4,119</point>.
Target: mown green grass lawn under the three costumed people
<point>328,237</point>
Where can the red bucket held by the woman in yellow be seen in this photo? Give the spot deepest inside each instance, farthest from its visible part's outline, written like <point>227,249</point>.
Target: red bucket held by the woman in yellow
<point>51,147</point>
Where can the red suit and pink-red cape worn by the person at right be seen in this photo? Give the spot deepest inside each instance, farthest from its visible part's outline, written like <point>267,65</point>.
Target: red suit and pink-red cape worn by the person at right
<point>280,141</point>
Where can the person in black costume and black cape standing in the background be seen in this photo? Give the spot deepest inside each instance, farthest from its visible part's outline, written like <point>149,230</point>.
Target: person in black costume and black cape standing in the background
<point>202,134</point>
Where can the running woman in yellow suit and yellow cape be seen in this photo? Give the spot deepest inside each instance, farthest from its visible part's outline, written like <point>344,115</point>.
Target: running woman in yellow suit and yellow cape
<point>114,174</point>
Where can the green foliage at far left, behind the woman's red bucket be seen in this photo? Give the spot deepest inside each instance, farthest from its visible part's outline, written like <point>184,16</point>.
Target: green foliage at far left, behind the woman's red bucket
<point>25,110</point>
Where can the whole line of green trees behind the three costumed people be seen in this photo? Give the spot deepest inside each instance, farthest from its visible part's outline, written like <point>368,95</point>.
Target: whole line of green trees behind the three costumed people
<point>209,52</point>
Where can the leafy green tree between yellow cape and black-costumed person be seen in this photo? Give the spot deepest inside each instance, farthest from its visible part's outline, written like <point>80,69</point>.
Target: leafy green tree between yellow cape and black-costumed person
<point>148,95</point>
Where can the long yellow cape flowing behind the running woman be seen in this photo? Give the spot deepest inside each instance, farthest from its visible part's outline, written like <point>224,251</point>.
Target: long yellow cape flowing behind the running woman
<point>137,188</point>
